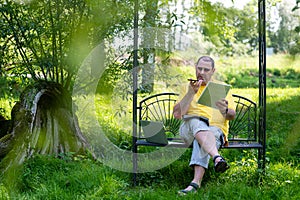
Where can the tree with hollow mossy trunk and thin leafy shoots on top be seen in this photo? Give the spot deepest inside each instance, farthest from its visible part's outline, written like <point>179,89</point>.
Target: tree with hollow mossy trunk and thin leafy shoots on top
<point>46,51</point>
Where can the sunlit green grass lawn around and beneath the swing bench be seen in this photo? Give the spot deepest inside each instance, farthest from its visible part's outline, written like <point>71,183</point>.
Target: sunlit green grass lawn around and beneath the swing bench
<point>80,177</point>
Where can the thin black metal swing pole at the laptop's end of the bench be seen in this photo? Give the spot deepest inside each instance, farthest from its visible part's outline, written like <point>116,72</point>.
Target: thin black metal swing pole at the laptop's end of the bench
<point>135,89</point>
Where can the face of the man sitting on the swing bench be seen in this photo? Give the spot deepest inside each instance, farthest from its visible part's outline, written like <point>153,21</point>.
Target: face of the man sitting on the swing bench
<point>204,71</point>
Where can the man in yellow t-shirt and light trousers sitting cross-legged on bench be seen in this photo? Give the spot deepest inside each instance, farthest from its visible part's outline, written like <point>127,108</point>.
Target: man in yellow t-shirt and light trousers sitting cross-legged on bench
<point>205,126</point>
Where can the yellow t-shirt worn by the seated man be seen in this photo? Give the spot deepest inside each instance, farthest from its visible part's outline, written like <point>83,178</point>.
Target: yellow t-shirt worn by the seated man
<point>214,115</point>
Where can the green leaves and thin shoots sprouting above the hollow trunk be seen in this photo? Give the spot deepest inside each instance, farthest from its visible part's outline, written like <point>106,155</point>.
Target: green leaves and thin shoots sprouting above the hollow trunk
<point>36,40</point>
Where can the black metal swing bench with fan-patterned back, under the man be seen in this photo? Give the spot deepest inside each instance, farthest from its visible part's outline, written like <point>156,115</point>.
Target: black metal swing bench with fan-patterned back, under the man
<point>243,130</point>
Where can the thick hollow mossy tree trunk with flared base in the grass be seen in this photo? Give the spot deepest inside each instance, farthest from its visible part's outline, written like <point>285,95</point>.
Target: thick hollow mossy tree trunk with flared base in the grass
<point>43,123</point>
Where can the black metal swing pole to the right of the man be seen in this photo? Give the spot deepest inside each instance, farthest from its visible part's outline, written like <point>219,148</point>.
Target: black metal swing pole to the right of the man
<point>262,81</point>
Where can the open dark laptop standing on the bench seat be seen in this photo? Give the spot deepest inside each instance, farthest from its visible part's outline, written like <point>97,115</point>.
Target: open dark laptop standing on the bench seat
<point>154,132</point>
